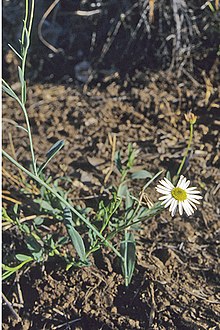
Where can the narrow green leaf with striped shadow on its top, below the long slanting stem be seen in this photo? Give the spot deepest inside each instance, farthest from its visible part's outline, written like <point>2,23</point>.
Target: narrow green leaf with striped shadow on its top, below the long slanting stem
<point>74,235</point>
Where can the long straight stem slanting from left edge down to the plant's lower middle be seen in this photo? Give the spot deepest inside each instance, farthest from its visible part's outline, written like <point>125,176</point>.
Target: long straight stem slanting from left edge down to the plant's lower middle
<point>36,178</point>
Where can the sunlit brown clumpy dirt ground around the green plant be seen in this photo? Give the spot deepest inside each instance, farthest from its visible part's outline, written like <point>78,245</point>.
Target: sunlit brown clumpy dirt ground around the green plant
<point>176,280</point>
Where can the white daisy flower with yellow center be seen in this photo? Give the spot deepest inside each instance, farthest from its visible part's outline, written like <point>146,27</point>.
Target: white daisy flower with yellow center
<point>180,197</point>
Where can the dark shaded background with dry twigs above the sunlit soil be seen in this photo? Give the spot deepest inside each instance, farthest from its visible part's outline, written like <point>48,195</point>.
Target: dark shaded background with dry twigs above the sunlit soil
<point>85,40</point>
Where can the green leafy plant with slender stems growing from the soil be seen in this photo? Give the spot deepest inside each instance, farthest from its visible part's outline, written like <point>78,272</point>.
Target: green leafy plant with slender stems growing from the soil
<point>115,222</point>
